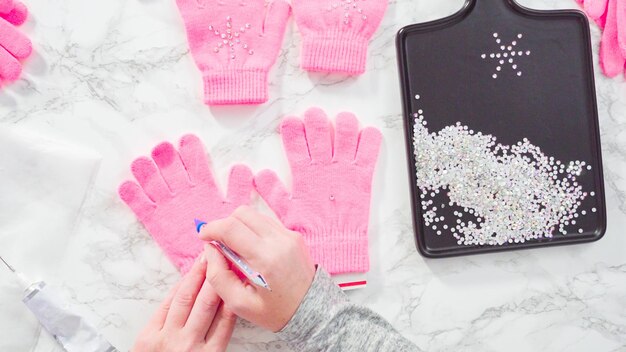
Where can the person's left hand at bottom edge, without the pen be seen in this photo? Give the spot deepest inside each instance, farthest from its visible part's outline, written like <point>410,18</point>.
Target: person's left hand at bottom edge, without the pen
<point>192,318</point>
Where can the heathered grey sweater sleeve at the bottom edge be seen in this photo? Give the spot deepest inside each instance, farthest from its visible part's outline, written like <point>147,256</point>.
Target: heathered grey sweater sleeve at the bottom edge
<point>327,321</point>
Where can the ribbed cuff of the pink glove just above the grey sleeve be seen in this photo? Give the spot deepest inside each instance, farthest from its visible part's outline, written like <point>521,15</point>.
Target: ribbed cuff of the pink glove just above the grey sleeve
<point>339,251</point>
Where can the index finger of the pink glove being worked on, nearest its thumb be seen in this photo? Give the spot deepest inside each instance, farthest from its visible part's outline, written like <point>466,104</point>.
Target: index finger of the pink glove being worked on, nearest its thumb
<point>196,161</point>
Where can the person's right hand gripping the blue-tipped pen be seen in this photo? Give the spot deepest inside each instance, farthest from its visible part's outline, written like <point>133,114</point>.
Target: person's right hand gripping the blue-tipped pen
<point>277,253</point>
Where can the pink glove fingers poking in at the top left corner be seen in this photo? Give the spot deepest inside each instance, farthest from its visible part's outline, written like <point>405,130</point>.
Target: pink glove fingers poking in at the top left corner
<point>14,46</point>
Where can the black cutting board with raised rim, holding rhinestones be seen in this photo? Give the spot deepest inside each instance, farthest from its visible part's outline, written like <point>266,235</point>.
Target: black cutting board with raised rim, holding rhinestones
<point>449,71</point>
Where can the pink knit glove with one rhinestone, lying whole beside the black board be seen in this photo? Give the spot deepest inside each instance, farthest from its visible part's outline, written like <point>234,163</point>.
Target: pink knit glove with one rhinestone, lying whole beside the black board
<point>330,201</point>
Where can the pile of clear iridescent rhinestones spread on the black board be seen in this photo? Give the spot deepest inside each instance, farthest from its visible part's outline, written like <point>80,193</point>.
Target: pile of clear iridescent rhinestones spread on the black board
<point>504,194</point>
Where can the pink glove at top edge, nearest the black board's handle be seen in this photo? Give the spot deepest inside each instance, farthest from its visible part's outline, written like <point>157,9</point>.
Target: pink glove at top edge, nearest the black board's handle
<point>336,33</point>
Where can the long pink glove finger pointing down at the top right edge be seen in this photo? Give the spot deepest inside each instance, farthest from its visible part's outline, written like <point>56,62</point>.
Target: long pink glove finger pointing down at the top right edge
<point>611,59</point>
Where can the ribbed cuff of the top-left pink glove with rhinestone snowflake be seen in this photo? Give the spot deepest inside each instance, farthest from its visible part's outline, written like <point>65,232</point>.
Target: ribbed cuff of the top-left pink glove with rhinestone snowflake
<point>235,87</point>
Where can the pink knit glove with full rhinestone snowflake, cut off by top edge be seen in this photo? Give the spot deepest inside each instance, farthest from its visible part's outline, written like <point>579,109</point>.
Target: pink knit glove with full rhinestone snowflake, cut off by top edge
<point>234,44</point>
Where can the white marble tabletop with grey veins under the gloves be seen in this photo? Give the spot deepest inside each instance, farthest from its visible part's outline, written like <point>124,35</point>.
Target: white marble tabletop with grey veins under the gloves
<point>116,77</point>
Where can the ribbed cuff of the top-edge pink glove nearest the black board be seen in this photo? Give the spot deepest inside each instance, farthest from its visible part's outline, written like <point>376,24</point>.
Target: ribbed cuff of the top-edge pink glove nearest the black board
<point>335,52</point>
